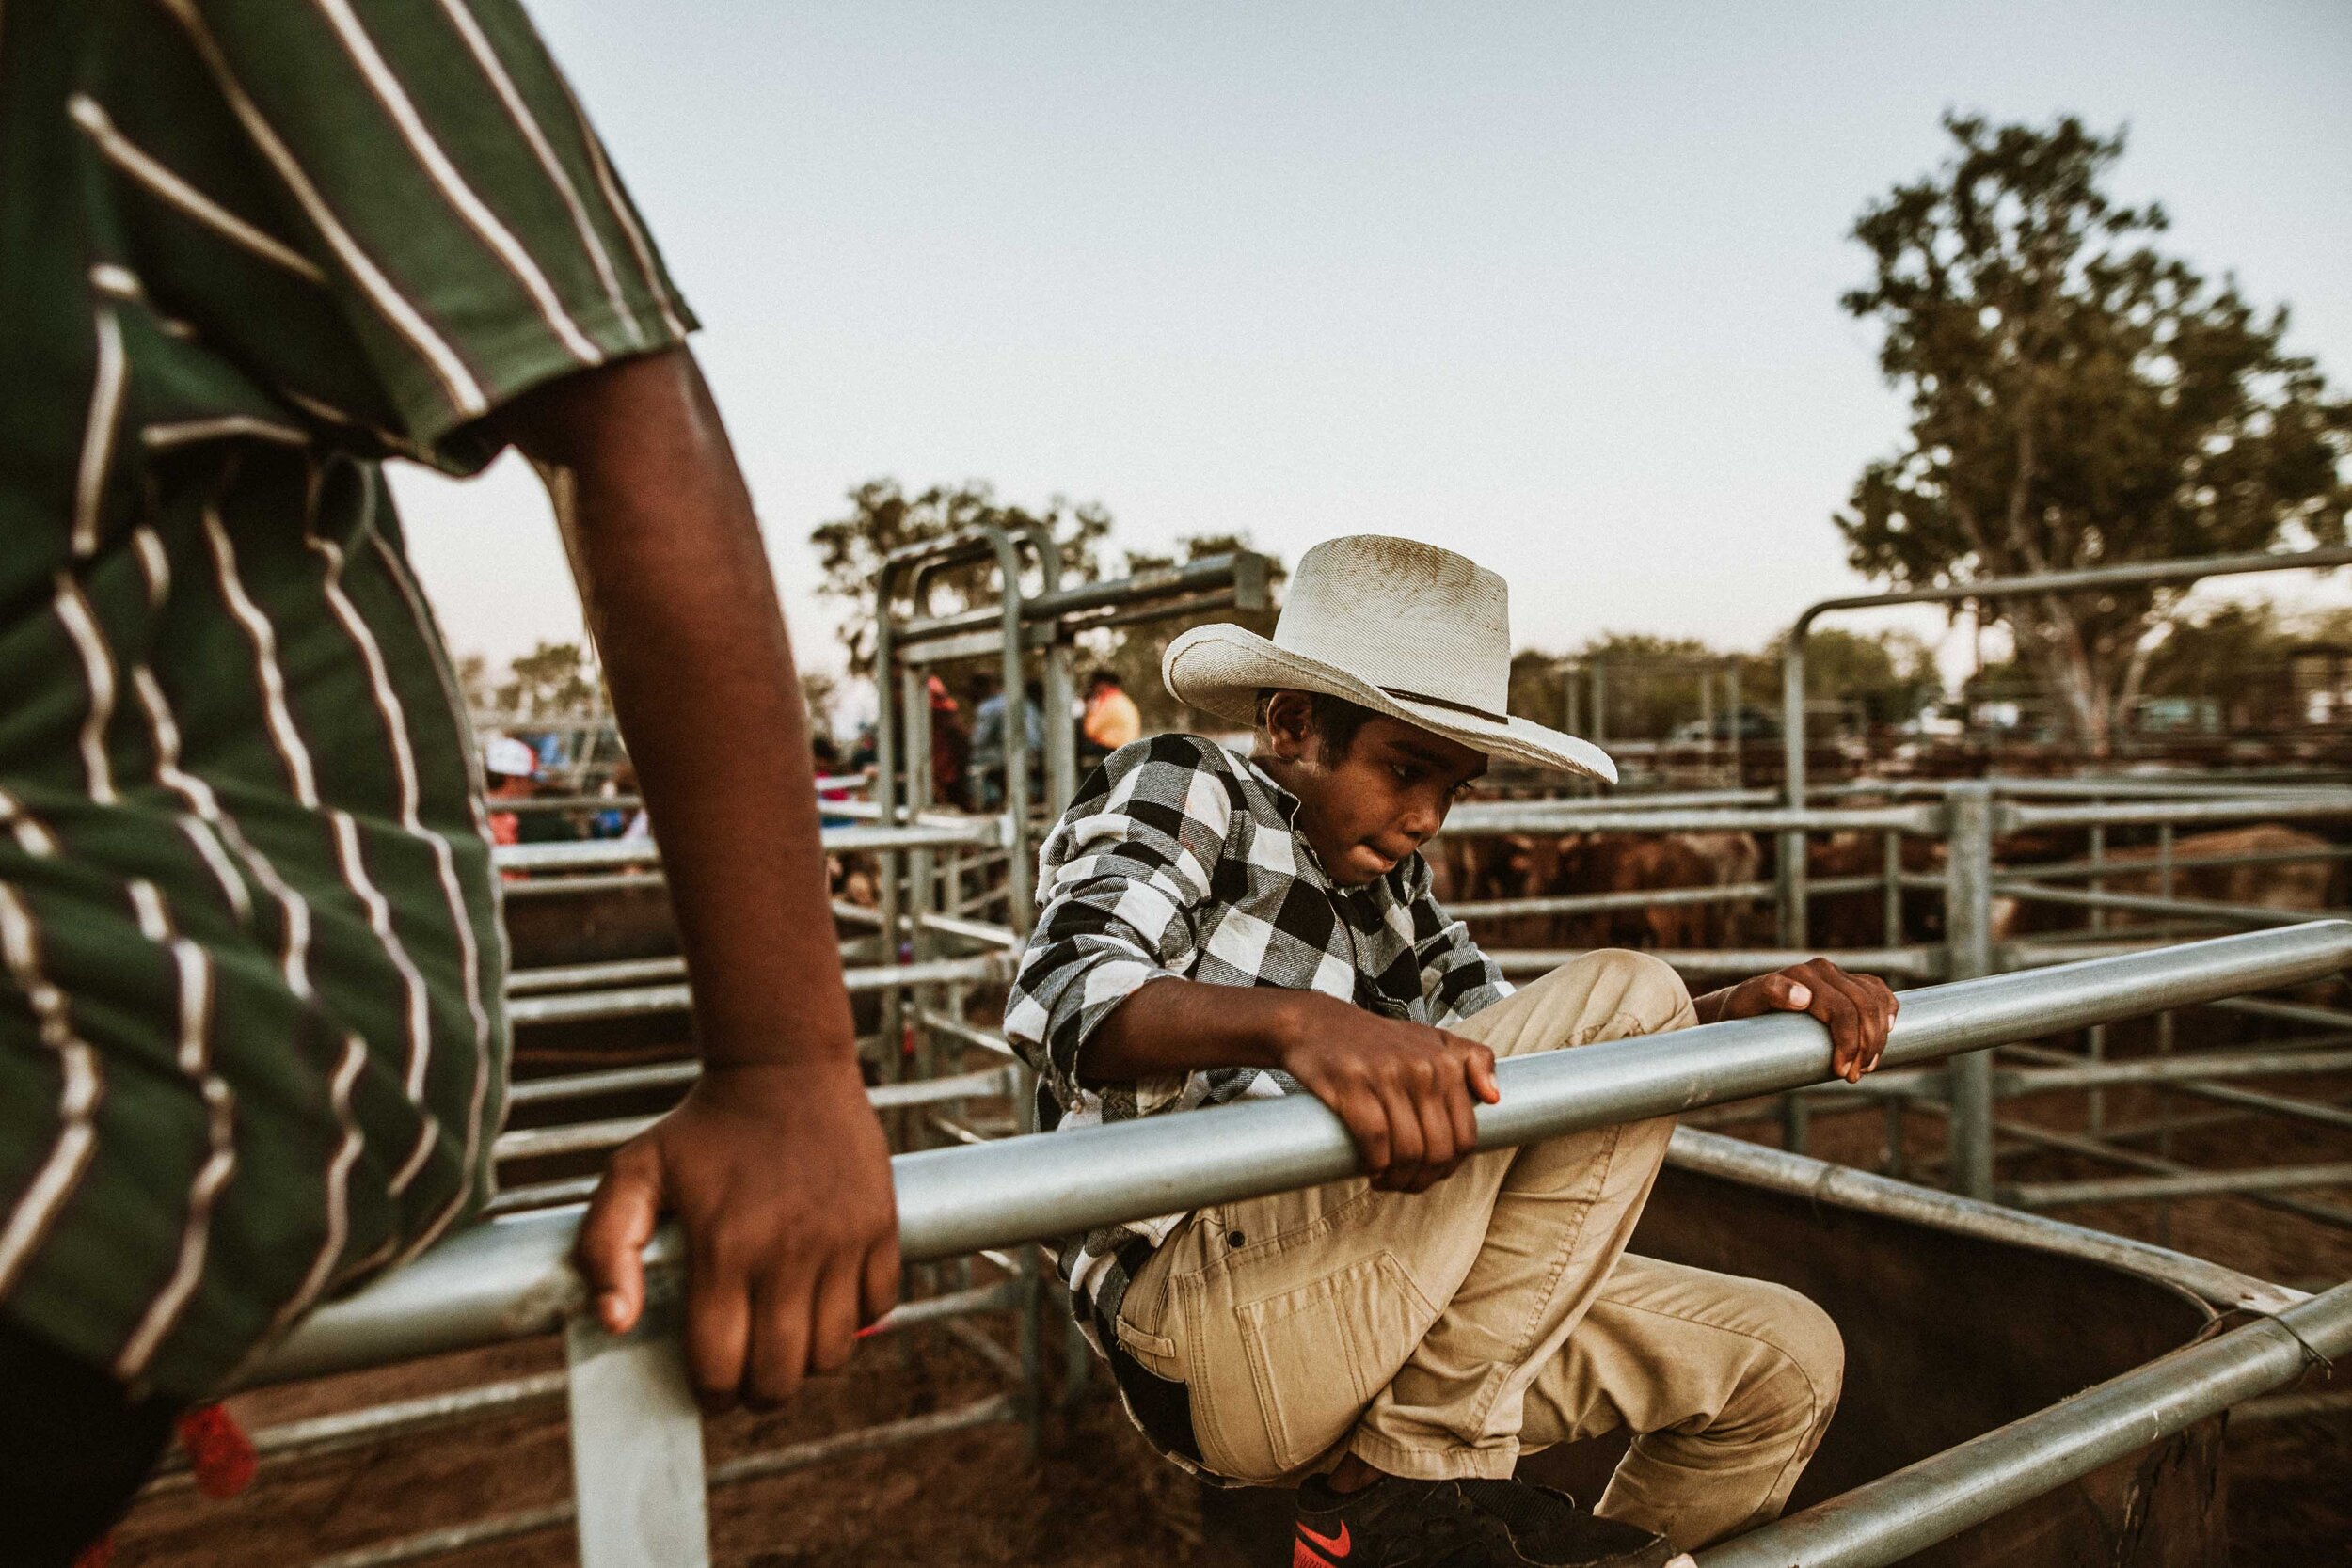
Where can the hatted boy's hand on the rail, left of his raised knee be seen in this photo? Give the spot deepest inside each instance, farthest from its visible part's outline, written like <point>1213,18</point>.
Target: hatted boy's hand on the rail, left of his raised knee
<point>1405,1090</point>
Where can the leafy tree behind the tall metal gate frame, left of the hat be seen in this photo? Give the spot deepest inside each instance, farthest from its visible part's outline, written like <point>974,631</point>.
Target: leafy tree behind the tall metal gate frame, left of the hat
<point>886,518</point>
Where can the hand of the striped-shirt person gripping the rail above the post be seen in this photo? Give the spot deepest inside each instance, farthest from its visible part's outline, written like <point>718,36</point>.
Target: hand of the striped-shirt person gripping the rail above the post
<point>780,1177</point>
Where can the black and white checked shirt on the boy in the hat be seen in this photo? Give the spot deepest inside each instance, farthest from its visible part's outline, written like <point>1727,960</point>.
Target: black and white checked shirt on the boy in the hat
<point>1184,859</point>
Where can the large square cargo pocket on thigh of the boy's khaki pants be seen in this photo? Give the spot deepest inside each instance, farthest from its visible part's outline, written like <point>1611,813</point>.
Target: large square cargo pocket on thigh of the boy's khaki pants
<point>1321,1353</point>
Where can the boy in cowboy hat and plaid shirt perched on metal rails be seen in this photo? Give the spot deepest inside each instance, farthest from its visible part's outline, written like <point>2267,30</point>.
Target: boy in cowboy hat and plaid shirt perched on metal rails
<point>1220,927</point>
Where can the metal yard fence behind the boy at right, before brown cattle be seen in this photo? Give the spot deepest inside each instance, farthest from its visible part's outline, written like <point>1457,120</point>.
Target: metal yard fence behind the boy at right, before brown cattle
<point>1977,894</point>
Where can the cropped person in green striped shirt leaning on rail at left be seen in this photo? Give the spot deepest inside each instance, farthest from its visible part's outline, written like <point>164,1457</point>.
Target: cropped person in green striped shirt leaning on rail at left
<point>253,1033</point>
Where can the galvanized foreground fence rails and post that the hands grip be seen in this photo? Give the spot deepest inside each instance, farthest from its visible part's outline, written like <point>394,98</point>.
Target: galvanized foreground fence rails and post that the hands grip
<point>636,1435</point>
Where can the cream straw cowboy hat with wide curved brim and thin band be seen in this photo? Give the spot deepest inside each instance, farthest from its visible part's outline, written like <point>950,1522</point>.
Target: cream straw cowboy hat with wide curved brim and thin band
<point>1389,624</point>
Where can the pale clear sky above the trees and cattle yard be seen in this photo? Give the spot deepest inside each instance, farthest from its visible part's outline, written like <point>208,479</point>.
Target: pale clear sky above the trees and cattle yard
<point>1553,286</point>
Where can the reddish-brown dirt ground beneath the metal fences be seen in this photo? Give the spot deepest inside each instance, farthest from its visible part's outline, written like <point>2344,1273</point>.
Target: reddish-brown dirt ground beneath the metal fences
<point>1095,1496</point>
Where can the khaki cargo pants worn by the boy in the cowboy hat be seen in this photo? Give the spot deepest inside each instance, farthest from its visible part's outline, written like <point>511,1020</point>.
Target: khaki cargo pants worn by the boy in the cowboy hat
<point>1450,1332</point>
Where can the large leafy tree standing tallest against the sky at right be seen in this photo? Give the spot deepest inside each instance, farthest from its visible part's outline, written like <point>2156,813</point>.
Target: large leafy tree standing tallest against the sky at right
<point>2076,401</point>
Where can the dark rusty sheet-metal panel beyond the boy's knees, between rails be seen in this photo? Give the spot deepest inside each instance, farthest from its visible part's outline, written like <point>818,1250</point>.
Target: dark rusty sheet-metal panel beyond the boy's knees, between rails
<point>1946,1339</point>
